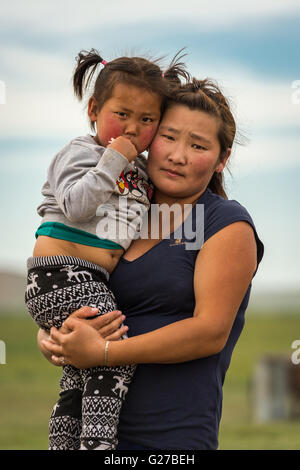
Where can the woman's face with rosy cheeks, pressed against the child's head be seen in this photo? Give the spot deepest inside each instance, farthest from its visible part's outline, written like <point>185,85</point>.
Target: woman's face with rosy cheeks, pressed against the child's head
<point>184,153</point>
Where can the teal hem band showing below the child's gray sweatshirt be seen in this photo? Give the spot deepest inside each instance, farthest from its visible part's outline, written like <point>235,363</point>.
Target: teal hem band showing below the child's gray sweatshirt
<point>63,232</point>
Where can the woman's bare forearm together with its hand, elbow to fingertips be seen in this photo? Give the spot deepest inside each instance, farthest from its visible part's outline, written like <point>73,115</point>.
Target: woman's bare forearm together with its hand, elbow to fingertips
<point>181,341</point>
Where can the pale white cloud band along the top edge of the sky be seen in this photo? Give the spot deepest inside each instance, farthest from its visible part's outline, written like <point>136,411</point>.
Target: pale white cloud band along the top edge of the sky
<point>66,16</point>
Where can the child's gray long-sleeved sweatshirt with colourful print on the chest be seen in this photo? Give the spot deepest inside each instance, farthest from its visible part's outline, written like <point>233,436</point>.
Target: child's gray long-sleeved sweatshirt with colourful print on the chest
<point>96,190</point>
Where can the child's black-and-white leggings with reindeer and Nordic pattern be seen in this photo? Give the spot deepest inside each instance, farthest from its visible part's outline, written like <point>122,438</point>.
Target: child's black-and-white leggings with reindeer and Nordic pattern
<point>87,413</point>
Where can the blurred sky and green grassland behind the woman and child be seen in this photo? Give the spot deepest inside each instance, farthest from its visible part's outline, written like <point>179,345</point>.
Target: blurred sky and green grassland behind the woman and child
<point>252,50</point>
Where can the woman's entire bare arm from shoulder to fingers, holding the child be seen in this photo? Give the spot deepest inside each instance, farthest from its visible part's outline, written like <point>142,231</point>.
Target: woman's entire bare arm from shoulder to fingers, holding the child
<point>224,268</point>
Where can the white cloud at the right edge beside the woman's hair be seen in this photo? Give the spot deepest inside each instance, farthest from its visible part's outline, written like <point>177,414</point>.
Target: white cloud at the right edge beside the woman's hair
<point>258,103</point>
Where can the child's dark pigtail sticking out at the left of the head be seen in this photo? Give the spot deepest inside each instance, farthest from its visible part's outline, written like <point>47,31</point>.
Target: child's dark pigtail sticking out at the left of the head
<point>81,77</point>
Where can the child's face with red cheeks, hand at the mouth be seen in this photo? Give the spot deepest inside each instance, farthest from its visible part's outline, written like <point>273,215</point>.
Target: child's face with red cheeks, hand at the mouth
<point>130,112</point>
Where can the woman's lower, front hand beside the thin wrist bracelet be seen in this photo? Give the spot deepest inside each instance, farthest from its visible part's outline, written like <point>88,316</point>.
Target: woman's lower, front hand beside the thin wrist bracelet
<point>82,346</point>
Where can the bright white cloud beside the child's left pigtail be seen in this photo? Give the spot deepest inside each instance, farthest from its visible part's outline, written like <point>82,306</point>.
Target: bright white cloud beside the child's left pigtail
<point>39,96</point>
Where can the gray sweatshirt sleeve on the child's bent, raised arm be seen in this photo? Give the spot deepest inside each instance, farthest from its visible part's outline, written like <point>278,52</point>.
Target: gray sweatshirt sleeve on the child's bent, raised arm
<point>81,179</point>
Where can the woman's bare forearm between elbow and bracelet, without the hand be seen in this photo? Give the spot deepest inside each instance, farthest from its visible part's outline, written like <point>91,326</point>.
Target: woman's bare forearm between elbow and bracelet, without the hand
<point>182,341</point>
